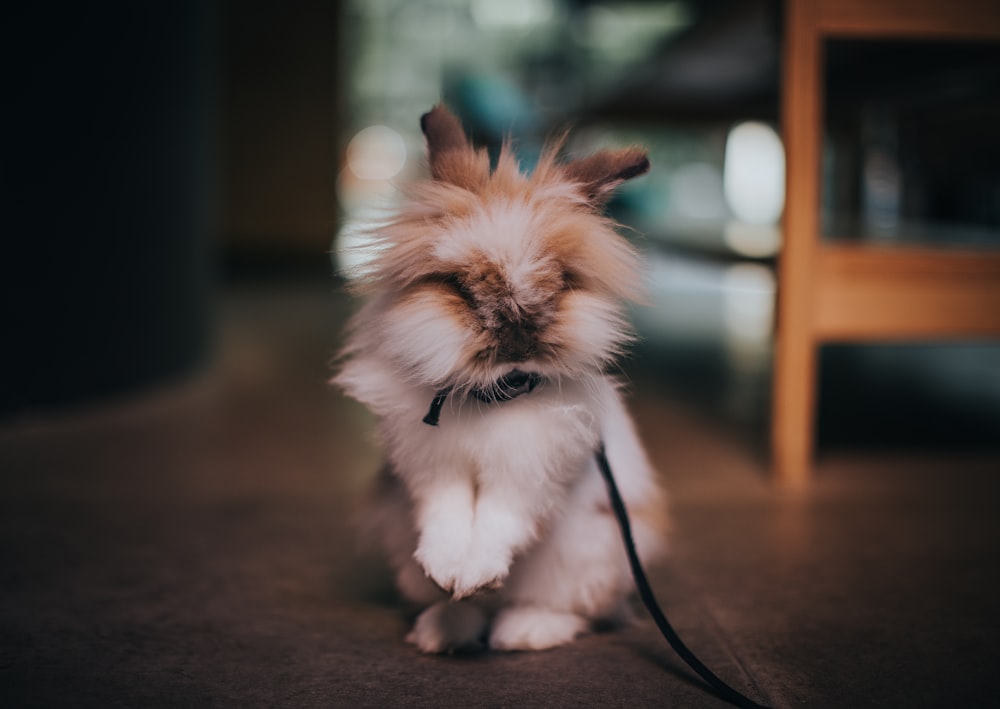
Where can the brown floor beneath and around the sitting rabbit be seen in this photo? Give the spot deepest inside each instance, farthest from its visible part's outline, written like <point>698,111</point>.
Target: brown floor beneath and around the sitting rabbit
<point>193,547</point>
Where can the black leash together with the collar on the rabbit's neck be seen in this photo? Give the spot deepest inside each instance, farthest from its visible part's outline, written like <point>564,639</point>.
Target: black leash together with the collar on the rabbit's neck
<point>517,383</point>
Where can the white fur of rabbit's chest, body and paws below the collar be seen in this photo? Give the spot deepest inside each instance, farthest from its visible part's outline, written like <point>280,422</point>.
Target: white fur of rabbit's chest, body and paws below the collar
<point>507,497</point>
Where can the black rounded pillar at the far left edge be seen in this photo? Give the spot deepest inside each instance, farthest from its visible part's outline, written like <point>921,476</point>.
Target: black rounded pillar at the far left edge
<point>108,177</point>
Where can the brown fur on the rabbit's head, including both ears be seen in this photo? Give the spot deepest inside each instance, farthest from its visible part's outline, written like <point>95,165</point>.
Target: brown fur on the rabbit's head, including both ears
<point>439,246</point>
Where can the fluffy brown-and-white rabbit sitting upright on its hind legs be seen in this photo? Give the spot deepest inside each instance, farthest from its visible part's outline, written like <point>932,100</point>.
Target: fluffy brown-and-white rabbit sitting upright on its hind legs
<point>495,310</point>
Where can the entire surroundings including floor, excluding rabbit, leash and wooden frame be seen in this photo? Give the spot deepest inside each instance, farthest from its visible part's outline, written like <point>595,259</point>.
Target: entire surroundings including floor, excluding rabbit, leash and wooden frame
<point>179,483</point>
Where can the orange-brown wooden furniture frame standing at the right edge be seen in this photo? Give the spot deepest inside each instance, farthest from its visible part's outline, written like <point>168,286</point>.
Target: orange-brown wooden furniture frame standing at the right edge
<point>854,291</point>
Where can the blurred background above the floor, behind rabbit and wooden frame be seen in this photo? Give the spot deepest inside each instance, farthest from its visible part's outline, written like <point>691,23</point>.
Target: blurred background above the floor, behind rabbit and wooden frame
<point>157,155</point>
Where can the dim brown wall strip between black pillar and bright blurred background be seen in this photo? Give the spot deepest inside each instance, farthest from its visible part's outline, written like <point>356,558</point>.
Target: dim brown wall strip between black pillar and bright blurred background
<point>281,120</point>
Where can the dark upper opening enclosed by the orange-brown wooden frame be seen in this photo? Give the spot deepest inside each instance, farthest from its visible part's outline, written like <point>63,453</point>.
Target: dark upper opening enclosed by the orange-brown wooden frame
<point>912,150</point>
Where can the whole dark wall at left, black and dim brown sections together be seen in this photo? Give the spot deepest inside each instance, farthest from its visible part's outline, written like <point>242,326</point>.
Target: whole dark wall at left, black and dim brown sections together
<point>143,142</point>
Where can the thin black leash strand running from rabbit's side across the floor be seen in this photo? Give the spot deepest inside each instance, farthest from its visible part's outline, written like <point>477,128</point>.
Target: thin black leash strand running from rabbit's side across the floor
<point>646,593</point>
